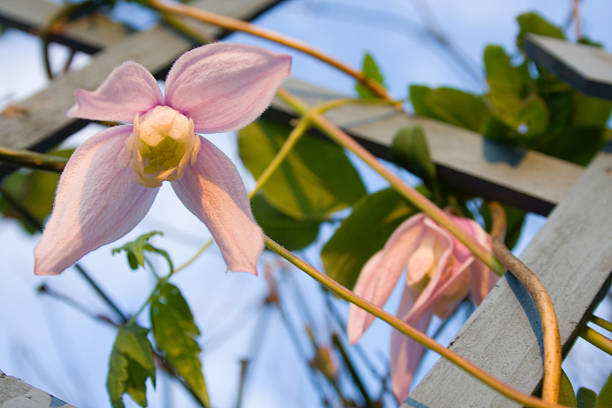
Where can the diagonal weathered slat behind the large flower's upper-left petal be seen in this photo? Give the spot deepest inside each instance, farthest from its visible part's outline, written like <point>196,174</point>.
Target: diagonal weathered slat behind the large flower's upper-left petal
<point>45,122</point>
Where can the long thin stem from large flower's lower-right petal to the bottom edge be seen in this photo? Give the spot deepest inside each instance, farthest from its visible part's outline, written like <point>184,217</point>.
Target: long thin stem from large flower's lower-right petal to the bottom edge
<point>408,330</point>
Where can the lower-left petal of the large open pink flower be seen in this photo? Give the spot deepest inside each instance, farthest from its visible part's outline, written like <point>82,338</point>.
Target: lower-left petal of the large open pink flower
<point>96,202</point>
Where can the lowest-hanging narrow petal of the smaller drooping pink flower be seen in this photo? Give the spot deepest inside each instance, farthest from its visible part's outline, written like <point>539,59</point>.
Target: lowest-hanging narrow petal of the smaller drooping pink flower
<point>406,353</point>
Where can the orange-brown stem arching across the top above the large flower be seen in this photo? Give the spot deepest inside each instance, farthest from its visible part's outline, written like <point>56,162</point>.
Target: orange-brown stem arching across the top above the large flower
<point>238,25</point>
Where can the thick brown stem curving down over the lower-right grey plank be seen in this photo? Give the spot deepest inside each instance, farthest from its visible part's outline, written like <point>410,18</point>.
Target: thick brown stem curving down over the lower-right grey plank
<point>537,291</point>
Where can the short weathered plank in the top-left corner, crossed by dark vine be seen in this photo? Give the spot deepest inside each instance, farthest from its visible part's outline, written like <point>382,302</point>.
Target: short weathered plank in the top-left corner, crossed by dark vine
<point>88,34</point>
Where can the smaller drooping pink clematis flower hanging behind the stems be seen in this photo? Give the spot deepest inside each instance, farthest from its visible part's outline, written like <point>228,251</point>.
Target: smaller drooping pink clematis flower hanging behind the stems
<point>439,273</point>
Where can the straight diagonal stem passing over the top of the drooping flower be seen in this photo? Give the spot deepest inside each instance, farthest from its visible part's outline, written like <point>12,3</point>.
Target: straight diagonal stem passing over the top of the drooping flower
<point>420,201</point>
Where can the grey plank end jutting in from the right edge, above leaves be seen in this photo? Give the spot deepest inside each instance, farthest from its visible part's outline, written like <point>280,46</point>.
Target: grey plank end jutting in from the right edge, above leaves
<point>584,67</point>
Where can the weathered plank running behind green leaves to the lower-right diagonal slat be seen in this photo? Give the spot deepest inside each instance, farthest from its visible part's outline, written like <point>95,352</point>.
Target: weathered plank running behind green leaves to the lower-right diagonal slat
<point>527,179</point>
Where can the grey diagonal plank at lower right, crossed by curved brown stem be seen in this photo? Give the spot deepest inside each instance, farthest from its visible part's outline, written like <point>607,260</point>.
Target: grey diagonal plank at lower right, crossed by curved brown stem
<point>572,255</point>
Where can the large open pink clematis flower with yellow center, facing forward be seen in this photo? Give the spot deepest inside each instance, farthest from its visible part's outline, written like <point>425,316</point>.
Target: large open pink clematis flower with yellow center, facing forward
<point>111,180</point>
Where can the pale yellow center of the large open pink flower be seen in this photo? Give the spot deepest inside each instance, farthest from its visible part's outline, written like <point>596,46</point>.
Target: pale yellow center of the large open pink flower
<point>161,145</point>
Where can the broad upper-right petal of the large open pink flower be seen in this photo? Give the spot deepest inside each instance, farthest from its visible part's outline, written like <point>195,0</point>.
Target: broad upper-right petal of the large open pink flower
<point>223,87</point>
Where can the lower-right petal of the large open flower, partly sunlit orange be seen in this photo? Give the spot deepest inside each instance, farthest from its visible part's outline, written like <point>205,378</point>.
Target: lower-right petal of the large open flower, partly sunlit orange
<point>212,190</point>
